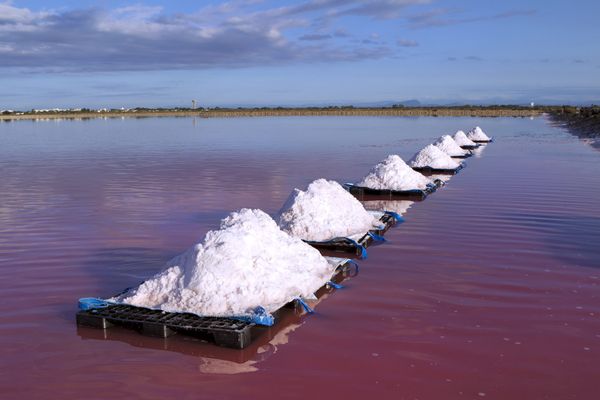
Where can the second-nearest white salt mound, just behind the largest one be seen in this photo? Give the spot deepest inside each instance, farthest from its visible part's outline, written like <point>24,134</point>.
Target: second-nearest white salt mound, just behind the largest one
<point>324,211</point>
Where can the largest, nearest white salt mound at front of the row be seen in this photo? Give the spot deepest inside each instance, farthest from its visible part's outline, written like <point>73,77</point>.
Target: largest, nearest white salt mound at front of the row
<point>248,262</point>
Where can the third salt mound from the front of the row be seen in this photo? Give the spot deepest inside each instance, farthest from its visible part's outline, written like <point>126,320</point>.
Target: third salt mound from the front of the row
<point>393,174</point>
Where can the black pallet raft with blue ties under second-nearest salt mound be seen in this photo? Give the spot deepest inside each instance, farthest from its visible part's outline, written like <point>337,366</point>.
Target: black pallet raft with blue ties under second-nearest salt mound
<point>358,247</point>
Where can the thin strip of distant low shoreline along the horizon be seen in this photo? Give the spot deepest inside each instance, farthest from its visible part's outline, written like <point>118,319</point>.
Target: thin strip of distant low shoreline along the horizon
<point>289,112</point>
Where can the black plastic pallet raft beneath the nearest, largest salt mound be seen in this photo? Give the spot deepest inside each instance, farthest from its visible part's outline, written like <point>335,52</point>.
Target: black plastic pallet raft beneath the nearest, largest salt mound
<point>226,332</point>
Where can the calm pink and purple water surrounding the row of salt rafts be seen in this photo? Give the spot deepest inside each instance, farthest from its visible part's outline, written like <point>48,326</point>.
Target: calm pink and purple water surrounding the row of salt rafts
<point>490,289</point>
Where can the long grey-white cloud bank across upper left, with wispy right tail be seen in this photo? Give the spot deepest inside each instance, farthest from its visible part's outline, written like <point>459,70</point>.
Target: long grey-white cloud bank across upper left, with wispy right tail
<point>234,34</point>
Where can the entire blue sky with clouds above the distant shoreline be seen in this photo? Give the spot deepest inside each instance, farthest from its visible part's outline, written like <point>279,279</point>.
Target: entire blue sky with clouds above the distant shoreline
<point>148,53</point>
